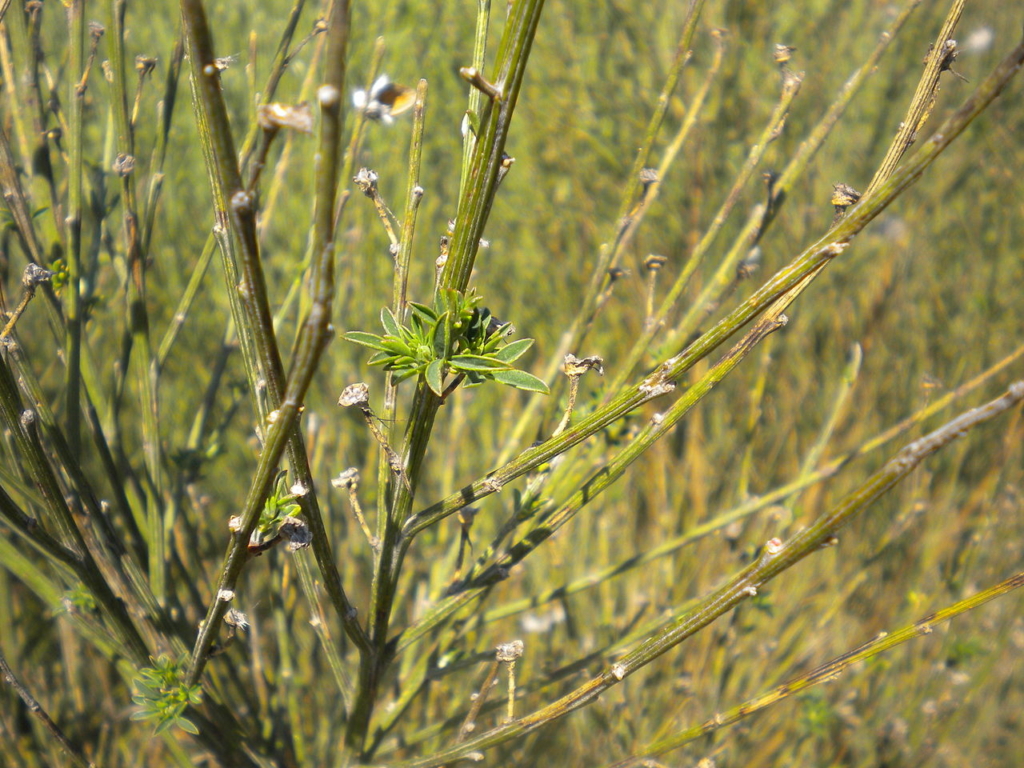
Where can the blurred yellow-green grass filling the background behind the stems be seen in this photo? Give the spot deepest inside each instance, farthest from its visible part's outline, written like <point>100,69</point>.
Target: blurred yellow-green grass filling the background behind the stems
<point>931,292</point>
